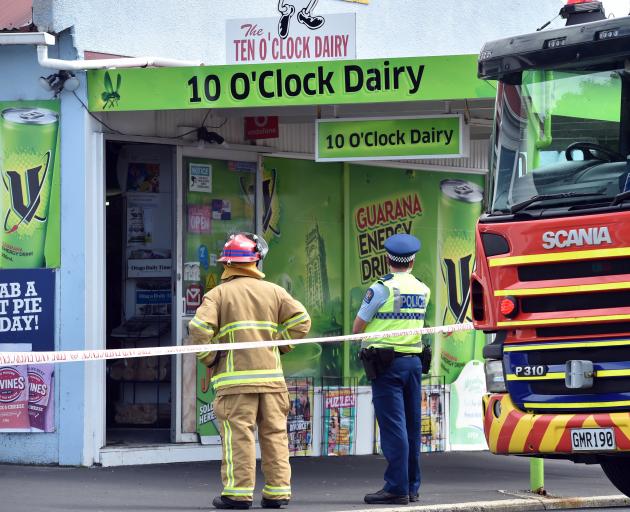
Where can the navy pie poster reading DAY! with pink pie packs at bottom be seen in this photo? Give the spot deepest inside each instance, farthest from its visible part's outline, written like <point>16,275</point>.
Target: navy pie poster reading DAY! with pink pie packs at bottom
<point>27,306</point>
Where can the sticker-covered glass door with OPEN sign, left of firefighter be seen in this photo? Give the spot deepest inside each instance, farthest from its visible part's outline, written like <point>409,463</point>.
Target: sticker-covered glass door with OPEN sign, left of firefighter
<point>217,198</point>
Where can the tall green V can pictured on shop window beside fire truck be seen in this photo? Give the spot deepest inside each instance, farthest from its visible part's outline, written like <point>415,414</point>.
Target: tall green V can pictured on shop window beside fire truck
<point>458,210</point>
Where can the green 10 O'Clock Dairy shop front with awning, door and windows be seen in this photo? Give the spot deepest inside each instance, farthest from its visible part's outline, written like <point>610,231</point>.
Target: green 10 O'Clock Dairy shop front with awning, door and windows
<point>325,161</point>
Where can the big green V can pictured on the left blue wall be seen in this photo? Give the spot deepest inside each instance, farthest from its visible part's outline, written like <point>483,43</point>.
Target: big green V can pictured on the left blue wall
<point>28,139</point>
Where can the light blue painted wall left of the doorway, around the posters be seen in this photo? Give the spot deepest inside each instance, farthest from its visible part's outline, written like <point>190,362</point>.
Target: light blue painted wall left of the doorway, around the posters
<point>19,80</point>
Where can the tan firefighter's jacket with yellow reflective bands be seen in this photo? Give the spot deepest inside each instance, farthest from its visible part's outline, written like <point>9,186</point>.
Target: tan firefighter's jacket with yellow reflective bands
<point>245,308</point>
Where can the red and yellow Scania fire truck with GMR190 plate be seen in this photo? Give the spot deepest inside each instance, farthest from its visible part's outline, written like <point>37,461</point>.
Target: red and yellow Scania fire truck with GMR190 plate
<point>552,276</point>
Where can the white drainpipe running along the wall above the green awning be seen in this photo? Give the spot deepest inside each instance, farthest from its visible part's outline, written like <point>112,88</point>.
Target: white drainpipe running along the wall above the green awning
<point>42,40</point>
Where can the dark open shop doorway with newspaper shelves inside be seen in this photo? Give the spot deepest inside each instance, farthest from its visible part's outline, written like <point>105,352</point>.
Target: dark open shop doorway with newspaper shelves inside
<point>139,290</point>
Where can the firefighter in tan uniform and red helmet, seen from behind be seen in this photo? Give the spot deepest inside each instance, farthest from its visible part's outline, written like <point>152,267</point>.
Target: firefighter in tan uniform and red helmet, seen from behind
<point>249,384</point>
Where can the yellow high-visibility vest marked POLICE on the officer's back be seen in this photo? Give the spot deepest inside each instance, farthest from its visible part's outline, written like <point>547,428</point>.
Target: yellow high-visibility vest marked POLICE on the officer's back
<point>404,308</point>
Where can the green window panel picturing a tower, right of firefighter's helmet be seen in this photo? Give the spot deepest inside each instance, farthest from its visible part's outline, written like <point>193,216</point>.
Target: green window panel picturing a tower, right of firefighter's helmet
<point>303,225</point>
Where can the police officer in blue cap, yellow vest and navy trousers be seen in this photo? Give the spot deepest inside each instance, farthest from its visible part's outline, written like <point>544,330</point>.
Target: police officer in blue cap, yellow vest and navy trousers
<point>396,301</point>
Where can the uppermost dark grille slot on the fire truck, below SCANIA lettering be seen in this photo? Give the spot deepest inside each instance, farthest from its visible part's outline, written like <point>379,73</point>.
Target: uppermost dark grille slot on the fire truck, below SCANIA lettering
<point>574,269</point>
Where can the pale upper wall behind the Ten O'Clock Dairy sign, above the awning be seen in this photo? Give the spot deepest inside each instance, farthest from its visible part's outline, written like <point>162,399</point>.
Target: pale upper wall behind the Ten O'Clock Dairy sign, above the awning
<point>195,29</point>
